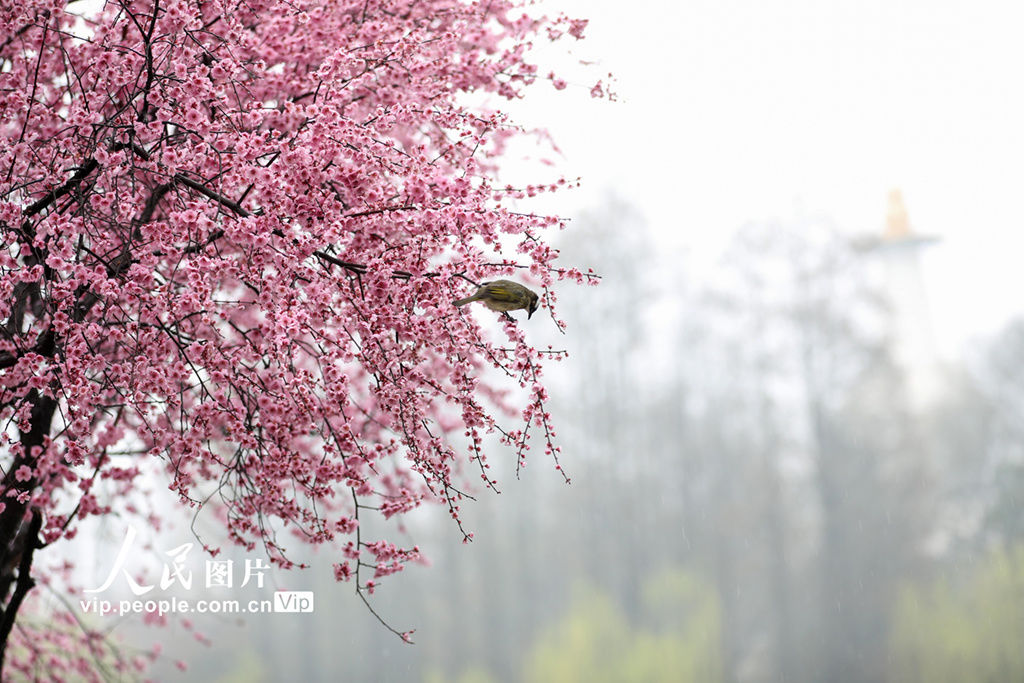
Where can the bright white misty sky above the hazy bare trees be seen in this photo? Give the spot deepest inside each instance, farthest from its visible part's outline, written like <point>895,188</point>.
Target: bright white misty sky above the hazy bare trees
<point>738,110</point>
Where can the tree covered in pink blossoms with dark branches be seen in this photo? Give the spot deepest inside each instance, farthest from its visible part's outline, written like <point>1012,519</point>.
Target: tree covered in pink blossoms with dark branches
<point>232,232</point>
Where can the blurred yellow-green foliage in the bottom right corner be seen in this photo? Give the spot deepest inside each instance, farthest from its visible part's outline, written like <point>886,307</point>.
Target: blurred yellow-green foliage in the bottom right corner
<point>964,631</point>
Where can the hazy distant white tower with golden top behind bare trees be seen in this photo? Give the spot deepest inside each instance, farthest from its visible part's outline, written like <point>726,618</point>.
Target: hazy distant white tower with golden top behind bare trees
<point>900,250</point>
